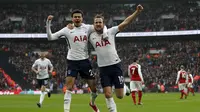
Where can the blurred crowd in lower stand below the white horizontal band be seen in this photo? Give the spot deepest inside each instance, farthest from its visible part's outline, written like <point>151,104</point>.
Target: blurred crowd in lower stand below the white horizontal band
<point>160,59</point>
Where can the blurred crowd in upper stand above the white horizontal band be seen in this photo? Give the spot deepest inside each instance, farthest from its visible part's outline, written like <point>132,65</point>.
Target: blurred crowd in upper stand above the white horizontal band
<point>157,16</point>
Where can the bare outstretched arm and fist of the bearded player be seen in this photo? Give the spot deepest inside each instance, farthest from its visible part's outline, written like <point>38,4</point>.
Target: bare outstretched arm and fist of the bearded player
<point>130,18</point>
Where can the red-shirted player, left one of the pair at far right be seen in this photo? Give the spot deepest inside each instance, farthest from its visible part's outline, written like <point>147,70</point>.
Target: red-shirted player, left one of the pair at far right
<point>182,80</point>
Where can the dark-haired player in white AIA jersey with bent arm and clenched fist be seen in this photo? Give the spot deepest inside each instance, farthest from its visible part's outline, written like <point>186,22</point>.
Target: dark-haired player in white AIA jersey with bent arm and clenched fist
<point>77,58</point>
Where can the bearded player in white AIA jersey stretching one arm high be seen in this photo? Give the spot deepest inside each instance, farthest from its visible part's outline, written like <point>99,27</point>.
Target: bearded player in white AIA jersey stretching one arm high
<point>108,59</point>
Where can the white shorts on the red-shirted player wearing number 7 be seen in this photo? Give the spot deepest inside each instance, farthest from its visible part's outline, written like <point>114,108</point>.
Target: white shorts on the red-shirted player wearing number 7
<point>136,86</point>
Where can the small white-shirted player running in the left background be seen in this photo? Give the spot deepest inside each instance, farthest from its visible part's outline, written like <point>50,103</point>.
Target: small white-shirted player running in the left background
<point>41,68</point>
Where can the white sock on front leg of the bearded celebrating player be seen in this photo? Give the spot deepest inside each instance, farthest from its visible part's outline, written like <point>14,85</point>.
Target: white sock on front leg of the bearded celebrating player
<point>111,105</point>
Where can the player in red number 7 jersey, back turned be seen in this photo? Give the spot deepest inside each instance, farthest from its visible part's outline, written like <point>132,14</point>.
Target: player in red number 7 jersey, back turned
<point>134,71</point>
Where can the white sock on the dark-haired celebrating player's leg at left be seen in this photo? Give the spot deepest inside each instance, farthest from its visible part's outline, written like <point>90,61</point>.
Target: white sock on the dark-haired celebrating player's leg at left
<point>67,100</point>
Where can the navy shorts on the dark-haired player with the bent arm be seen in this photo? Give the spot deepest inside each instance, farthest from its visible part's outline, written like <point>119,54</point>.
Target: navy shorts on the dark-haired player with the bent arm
<point>83,67</point>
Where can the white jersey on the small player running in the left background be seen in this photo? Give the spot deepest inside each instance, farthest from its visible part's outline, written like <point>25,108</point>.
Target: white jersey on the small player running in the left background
<point>42,67</point>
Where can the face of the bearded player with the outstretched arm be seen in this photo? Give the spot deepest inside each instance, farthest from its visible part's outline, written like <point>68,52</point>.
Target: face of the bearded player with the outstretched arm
<point>98,24</point>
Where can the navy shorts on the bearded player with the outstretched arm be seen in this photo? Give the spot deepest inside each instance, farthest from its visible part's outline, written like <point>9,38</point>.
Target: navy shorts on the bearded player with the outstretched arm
<point>112,75</point>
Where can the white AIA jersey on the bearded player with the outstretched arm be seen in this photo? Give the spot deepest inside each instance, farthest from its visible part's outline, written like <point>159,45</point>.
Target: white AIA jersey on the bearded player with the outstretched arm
<point>105,49</point>
